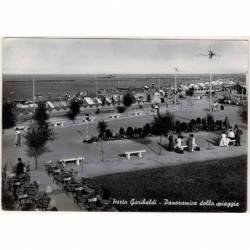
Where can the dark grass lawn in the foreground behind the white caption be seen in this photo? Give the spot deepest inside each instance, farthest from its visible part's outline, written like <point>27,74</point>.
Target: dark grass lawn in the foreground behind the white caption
<point>212,181</point>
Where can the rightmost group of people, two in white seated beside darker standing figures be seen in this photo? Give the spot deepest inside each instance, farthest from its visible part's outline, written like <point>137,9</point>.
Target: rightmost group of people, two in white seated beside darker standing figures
<point>231,135</point>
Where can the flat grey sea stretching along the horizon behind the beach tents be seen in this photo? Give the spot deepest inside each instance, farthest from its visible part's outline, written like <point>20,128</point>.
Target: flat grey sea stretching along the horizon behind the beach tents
<point>19,87</point>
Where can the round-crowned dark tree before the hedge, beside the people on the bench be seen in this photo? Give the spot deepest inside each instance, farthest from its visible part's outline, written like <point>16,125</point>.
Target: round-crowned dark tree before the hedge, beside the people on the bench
<point>163,124</point>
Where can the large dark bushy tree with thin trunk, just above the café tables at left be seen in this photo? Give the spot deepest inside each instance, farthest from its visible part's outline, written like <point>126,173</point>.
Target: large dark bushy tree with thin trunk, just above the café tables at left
<point>37,137</point>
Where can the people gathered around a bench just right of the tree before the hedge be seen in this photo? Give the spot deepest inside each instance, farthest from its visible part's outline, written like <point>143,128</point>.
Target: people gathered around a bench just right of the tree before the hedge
<point>176,144</point>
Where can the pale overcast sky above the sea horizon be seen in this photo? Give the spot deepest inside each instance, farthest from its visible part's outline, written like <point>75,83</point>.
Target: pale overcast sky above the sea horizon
<point>83,56</point>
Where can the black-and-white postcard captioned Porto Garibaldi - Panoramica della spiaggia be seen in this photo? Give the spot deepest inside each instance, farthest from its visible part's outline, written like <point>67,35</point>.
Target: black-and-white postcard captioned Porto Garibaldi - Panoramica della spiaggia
<point>106,124</point>
